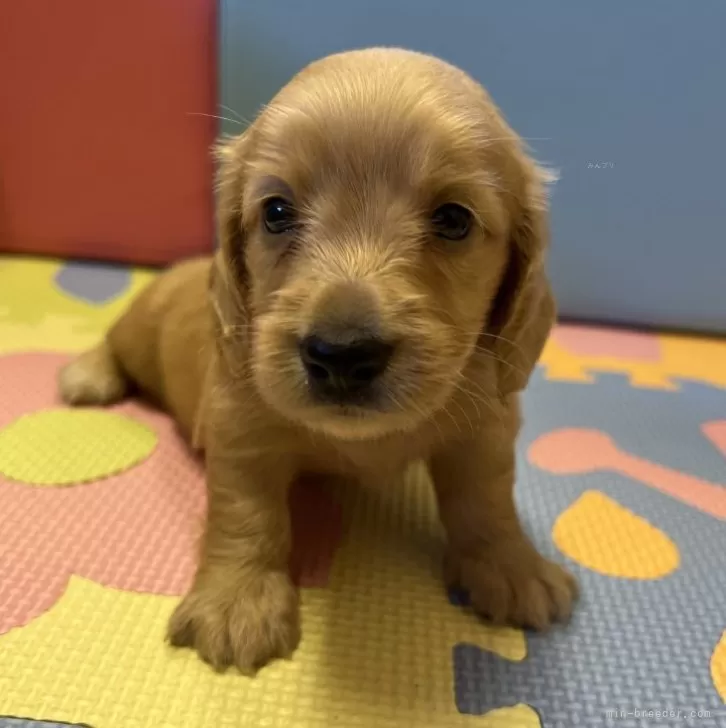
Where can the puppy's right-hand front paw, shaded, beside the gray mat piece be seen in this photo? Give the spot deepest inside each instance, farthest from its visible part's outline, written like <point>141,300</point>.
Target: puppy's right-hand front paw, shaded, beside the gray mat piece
<point>513,584</point>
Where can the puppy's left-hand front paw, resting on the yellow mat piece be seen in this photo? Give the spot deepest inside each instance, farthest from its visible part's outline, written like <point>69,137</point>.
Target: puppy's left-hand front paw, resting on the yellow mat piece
<point>246,626</point>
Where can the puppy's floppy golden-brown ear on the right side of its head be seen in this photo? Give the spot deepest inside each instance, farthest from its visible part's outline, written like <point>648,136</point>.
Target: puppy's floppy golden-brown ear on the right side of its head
<point>524,309</point>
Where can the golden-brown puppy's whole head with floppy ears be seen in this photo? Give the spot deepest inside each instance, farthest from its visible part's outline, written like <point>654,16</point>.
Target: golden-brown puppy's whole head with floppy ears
<point>382,227</point>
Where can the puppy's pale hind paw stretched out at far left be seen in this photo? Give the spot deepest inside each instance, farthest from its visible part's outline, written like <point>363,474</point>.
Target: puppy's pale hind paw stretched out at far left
<point>93,378</point>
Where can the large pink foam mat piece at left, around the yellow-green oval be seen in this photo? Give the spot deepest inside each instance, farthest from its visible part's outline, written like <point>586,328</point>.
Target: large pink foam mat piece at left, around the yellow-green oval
<point>137,530</point>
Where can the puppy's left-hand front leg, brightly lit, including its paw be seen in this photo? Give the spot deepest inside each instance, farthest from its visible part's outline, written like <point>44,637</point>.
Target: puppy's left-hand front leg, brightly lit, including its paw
<point>243,608</point>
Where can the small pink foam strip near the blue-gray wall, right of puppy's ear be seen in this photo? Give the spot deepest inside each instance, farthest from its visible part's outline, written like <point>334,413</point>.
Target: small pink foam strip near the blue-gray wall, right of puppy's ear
<point>592,341</point>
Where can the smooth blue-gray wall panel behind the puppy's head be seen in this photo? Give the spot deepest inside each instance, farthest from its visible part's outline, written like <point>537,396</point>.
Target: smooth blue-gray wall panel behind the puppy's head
<point>637,86</point>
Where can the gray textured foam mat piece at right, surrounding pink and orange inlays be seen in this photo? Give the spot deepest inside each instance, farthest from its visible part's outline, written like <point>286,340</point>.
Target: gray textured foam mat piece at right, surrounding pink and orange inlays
<point>631,644</point>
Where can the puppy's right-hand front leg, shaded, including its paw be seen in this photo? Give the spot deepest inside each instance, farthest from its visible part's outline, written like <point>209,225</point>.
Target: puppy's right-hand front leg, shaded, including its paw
<point>489,555</point>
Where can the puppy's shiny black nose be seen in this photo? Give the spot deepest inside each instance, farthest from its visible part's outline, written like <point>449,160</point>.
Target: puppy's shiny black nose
<point>341,369</point>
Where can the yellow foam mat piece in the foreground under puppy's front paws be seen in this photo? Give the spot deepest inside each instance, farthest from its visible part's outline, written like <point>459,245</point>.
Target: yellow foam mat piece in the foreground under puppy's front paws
<point>376,651</point>
